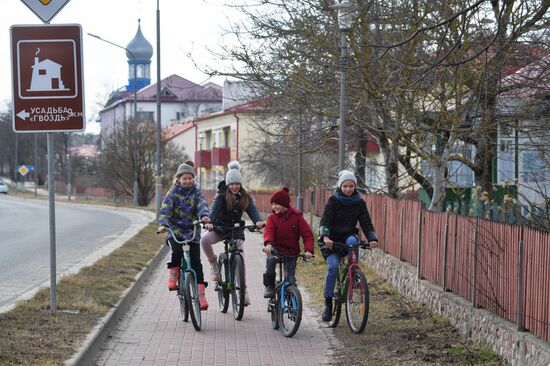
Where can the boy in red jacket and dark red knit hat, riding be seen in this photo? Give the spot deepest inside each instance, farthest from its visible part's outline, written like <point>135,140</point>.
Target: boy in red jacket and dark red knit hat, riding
<point>283,229</point>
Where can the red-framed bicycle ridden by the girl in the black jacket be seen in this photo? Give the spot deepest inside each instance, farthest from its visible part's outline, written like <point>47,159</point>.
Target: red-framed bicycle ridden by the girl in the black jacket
<point>352,289</point>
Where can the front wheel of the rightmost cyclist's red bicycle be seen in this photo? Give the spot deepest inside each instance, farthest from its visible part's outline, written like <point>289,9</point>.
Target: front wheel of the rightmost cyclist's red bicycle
<point>357,301</point>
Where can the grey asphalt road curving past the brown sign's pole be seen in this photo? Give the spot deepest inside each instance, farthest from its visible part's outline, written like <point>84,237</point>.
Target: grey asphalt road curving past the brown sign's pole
<point>84,233</point>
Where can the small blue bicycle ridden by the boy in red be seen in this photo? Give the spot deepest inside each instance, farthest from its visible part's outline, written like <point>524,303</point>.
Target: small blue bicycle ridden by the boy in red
<point>286,306</point>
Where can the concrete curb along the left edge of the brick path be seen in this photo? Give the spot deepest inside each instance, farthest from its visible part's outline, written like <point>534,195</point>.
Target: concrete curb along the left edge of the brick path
<point>91,345</point>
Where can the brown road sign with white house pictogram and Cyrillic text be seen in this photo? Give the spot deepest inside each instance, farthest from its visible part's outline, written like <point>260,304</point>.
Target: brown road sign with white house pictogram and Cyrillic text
<point>47,78</point>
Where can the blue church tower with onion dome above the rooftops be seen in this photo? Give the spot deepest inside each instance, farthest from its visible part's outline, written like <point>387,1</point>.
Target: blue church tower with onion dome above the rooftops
<point>139,52</point>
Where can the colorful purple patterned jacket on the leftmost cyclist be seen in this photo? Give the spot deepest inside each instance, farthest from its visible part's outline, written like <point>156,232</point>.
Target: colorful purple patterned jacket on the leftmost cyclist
<point>181,206</point>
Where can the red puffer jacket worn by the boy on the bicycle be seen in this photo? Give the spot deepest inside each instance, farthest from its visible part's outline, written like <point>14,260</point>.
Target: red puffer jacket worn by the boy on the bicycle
<point>284,230</point>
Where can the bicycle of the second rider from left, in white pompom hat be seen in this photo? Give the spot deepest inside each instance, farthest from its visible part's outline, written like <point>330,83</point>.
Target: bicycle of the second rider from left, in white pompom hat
<point>232,273</point>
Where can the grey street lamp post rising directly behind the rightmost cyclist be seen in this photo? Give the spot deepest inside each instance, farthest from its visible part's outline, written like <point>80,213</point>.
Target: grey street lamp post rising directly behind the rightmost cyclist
<point>345,18</point>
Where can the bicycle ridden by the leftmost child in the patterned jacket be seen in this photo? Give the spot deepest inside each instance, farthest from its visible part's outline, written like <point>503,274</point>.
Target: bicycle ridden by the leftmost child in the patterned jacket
<point>187,288</point>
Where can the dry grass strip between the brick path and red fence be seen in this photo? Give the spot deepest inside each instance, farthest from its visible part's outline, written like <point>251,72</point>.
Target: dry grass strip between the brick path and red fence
<point>399,331</point>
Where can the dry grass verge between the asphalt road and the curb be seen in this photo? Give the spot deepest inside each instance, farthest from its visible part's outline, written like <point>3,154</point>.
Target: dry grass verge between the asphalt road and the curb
<point>31,335</point>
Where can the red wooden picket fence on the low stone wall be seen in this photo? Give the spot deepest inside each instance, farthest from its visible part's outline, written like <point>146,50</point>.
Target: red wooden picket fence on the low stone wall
<point>480,261</point>
